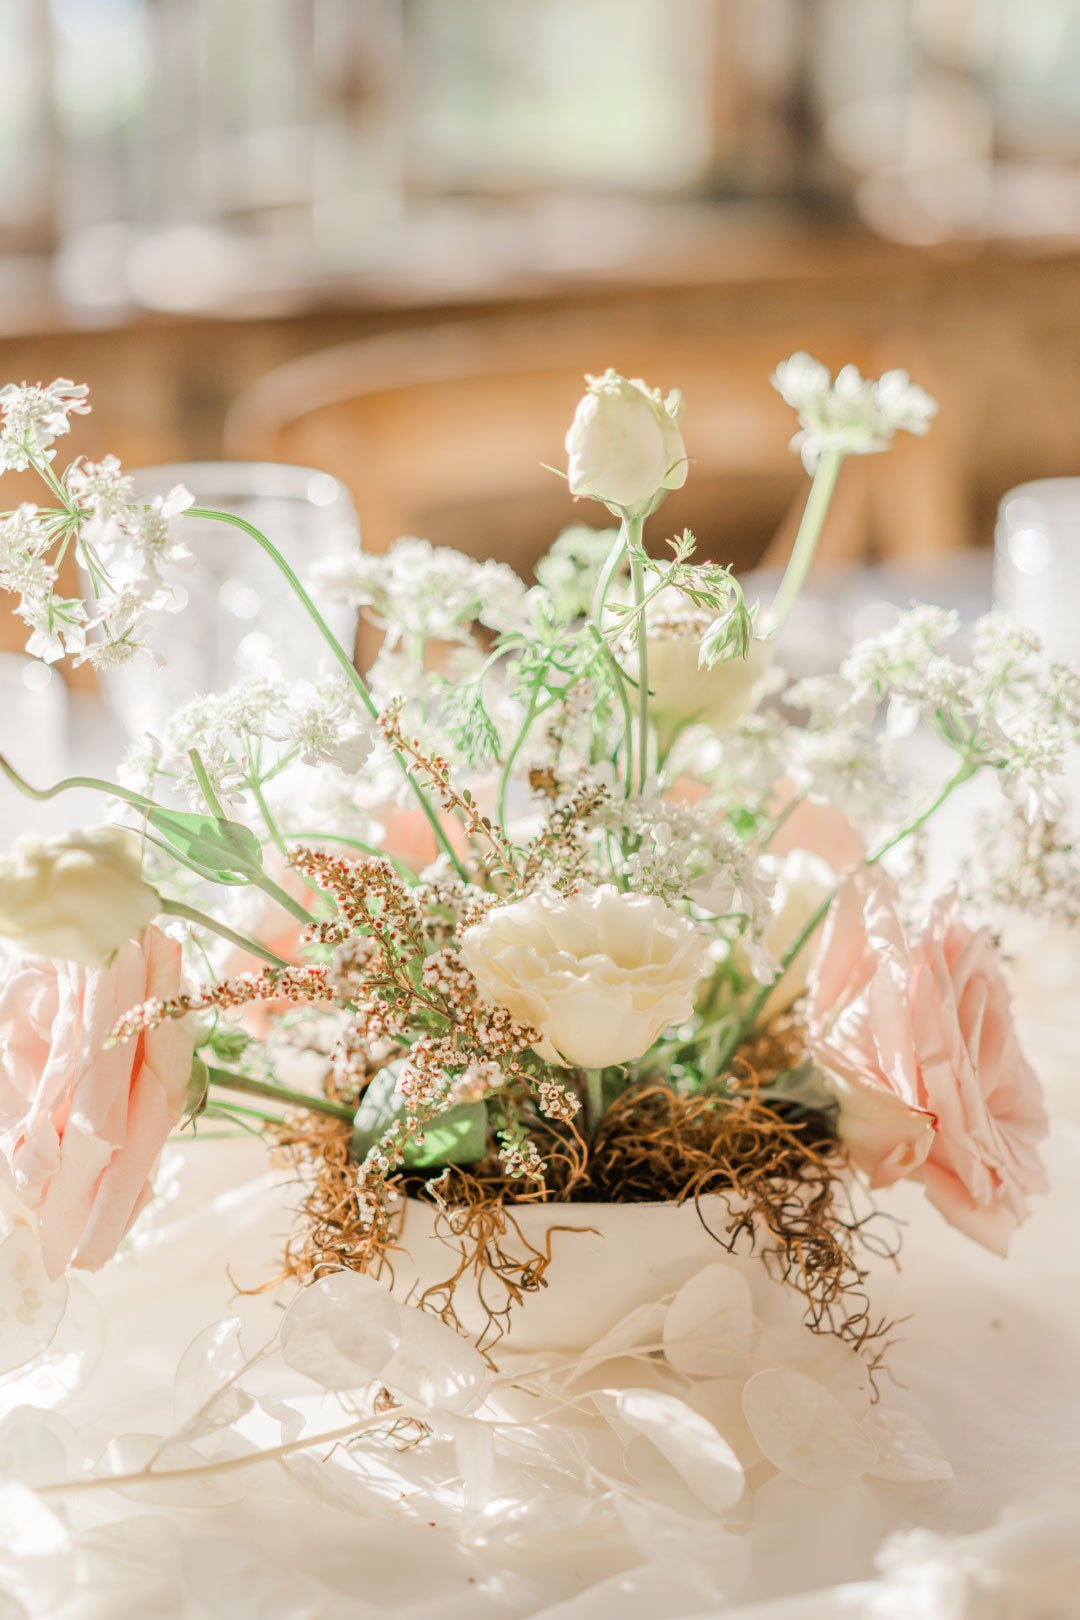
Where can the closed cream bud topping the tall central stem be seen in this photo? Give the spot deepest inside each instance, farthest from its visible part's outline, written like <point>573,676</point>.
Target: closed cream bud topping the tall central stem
<point>624,445</point>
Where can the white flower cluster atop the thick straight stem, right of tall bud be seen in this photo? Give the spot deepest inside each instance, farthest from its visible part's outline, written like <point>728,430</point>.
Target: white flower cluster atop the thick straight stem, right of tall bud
<point>853,416</point>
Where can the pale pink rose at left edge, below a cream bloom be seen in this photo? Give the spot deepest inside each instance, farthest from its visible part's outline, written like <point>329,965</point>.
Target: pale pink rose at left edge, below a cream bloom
<point>82,1125</point>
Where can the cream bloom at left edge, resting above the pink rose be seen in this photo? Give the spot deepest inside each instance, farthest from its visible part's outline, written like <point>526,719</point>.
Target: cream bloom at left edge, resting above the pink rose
<point>75,898</point>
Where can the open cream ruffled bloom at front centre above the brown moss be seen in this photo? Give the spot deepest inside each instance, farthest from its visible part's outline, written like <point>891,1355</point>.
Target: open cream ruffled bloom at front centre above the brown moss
<point>600,974</point>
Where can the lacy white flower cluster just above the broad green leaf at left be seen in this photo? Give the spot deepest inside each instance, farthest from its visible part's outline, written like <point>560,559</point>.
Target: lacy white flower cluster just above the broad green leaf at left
<point>252,733</point>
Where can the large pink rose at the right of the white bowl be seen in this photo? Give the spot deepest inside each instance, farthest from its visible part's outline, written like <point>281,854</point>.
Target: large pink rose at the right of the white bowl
<point>925,1062</point>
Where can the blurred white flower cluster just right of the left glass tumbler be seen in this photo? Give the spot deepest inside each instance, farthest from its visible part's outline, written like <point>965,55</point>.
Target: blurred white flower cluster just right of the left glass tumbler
<point>423,590</point>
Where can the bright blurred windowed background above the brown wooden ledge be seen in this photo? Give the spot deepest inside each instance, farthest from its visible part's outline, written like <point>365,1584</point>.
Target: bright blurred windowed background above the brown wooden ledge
<point>158,148</point>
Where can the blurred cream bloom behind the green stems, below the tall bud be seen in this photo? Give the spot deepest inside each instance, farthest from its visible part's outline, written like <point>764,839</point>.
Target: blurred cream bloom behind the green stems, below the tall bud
<point>684,691</point>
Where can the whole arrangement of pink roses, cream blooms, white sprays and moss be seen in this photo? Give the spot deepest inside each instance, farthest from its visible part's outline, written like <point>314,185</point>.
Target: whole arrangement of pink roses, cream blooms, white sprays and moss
<point>574,898</point>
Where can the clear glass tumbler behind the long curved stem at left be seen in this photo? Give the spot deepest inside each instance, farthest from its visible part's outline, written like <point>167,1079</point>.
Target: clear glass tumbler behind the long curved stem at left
<point>240,616</point>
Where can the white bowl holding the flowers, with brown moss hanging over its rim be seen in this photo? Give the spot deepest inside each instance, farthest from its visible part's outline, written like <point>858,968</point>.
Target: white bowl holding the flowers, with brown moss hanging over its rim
<point>606,1261</point>
